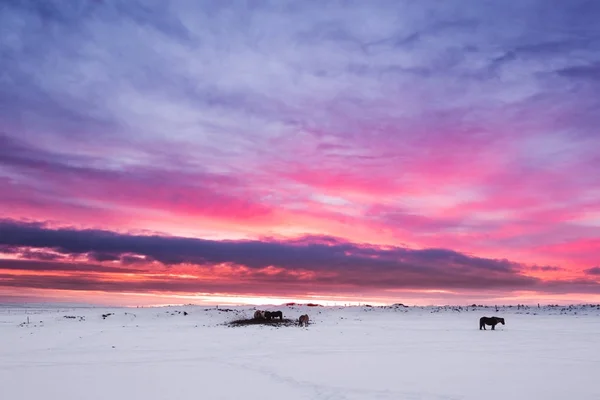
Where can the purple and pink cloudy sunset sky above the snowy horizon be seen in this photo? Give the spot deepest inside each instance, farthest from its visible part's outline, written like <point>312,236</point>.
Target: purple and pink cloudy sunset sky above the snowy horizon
<point>341,152</point>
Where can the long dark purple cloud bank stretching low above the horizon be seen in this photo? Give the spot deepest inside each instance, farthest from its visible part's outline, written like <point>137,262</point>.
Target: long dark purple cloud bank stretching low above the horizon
<point>332,263</point>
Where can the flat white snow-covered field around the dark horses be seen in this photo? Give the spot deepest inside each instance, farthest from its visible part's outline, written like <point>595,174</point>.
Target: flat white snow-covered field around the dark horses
<point>346,353</point>
